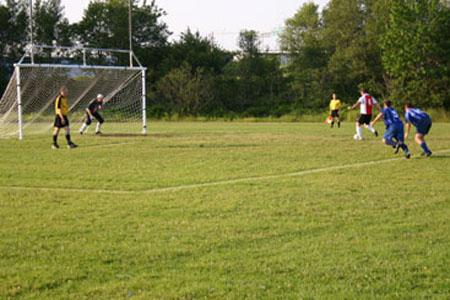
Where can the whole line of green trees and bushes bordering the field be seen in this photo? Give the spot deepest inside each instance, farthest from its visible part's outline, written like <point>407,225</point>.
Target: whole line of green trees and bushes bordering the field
<point>396,49</point>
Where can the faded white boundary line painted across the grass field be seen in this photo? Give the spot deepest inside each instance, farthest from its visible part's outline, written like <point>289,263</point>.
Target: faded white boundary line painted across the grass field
<point>209,184</point>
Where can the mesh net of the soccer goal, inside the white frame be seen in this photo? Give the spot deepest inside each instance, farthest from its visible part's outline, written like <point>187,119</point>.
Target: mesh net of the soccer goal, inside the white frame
<point>40,85</point>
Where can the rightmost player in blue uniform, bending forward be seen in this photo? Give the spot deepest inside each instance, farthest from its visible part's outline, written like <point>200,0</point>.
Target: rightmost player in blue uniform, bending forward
<point>423,123</point>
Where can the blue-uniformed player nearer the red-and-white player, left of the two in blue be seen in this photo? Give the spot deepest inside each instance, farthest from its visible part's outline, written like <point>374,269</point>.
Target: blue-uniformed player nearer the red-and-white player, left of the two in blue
<point>394,128</point>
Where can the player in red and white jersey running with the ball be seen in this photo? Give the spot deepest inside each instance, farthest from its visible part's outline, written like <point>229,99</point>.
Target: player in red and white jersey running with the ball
<point>366,103</point>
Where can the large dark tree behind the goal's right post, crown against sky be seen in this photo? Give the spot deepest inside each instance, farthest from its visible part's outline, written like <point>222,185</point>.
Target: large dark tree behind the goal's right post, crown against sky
<point>105,25</point>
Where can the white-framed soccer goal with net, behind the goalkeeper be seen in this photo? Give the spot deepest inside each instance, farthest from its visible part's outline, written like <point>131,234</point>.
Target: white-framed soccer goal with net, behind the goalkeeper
<point>27,106</point>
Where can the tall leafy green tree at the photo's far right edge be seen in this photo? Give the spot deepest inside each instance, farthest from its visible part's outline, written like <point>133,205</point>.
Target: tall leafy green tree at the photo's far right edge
<point>416,55</point>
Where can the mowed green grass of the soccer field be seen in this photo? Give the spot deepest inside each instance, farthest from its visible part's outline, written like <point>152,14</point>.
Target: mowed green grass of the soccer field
<point>97,222</point>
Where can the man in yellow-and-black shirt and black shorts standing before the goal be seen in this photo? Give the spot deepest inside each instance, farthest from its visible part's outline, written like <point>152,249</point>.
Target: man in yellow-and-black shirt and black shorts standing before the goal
<point>61,120</point>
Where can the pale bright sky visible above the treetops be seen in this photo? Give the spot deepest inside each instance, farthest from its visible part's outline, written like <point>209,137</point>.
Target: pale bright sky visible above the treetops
<point>222,19</point>
